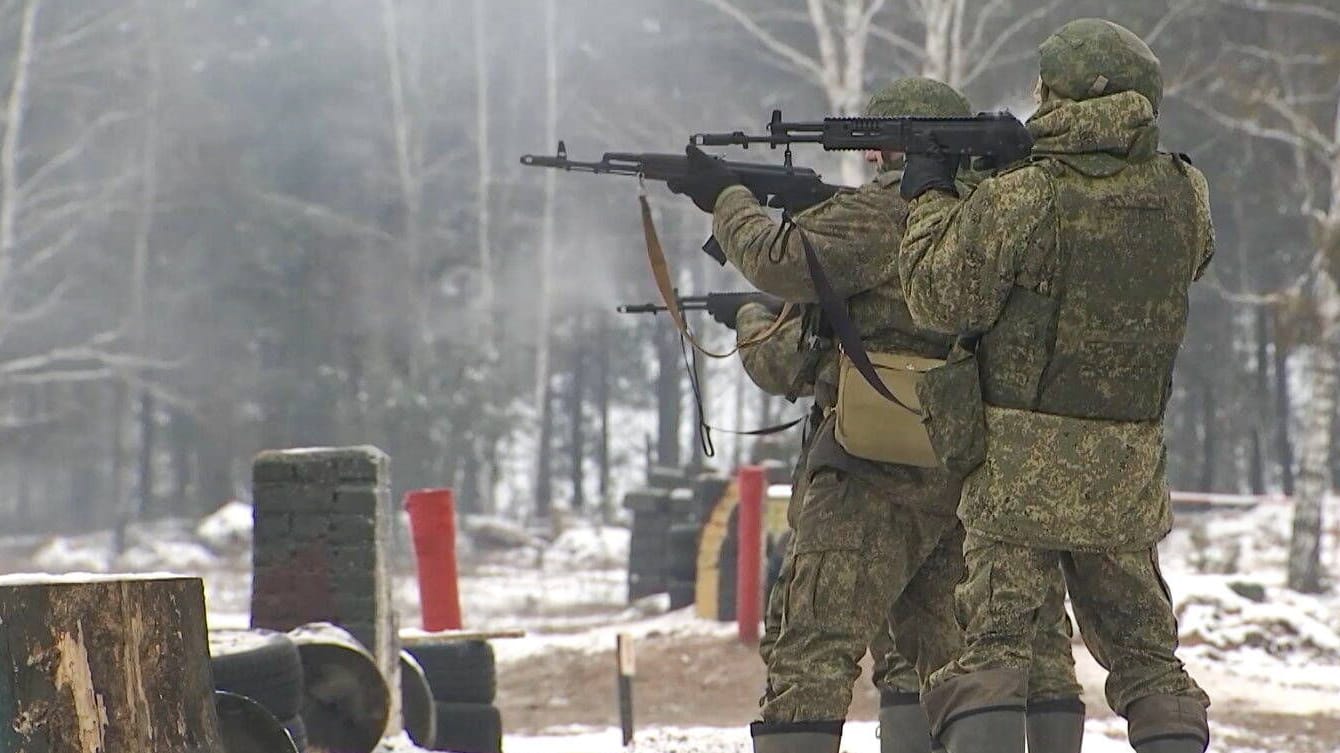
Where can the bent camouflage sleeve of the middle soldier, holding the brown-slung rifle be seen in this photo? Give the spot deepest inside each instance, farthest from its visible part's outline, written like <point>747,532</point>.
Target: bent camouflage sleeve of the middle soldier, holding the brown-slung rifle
<point>854,234</point>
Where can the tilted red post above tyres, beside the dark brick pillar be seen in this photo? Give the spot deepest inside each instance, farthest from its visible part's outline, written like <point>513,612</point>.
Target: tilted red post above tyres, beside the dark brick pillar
<point>433,526</point>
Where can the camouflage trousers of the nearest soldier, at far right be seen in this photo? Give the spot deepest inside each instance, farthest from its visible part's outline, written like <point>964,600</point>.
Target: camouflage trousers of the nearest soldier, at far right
<point>1125,616</point>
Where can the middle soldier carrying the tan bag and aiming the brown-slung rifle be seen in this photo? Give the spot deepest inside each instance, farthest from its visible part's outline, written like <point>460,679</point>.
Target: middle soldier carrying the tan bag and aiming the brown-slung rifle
<point>873,541</point>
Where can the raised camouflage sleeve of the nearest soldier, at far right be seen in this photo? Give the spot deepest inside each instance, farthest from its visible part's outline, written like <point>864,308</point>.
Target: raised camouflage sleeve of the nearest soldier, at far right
<point>961,257</point>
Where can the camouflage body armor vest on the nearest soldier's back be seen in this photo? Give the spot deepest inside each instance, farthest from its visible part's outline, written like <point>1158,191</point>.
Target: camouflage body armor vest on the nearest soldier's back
<point>1101,340</point>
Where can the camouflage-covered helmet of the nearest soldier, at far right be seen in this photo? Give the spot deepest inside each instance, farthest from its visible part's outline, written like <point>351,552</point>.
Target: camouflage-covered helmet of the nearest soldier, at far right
<point>1091,58</point>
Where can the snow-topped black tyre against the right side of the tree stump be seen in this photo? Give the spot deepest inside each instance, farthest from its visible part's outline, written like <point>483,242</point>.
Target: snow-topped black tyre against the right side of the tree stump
<point>265,668</point>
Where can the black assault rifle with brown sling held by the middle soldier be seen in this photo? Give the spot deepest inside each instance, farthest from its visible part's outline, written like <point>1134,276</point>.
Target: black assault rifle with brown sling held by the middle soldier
<point>781,187</point>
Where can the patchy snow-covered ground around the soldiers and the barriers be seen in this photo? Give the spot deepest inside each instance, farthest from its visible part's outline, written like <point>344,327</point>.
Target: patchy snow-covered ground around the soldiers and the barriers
<point>1270,659</point>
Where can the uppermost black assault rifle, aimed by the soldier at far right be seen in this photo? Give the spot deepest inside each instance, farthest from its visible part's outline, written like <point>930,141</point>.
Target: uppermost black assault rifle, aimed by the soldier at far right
<point>999,139</point>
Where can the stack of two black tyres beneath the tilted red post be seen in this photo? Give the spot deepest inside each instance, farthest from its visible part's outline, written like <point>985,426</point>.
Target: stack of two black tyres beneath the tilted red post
<point>463,677</point>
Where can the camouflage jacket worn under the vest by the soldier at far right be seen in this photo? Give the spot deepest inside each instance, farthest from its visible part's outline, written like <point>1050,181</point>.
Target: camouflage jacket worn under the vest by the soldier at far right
<point>1049,480</point>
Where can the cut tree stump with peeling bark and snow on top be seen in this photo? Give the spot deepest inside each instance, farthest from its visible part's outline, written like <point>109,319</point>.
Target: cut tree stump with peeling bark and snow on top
<point>105,665</point>
